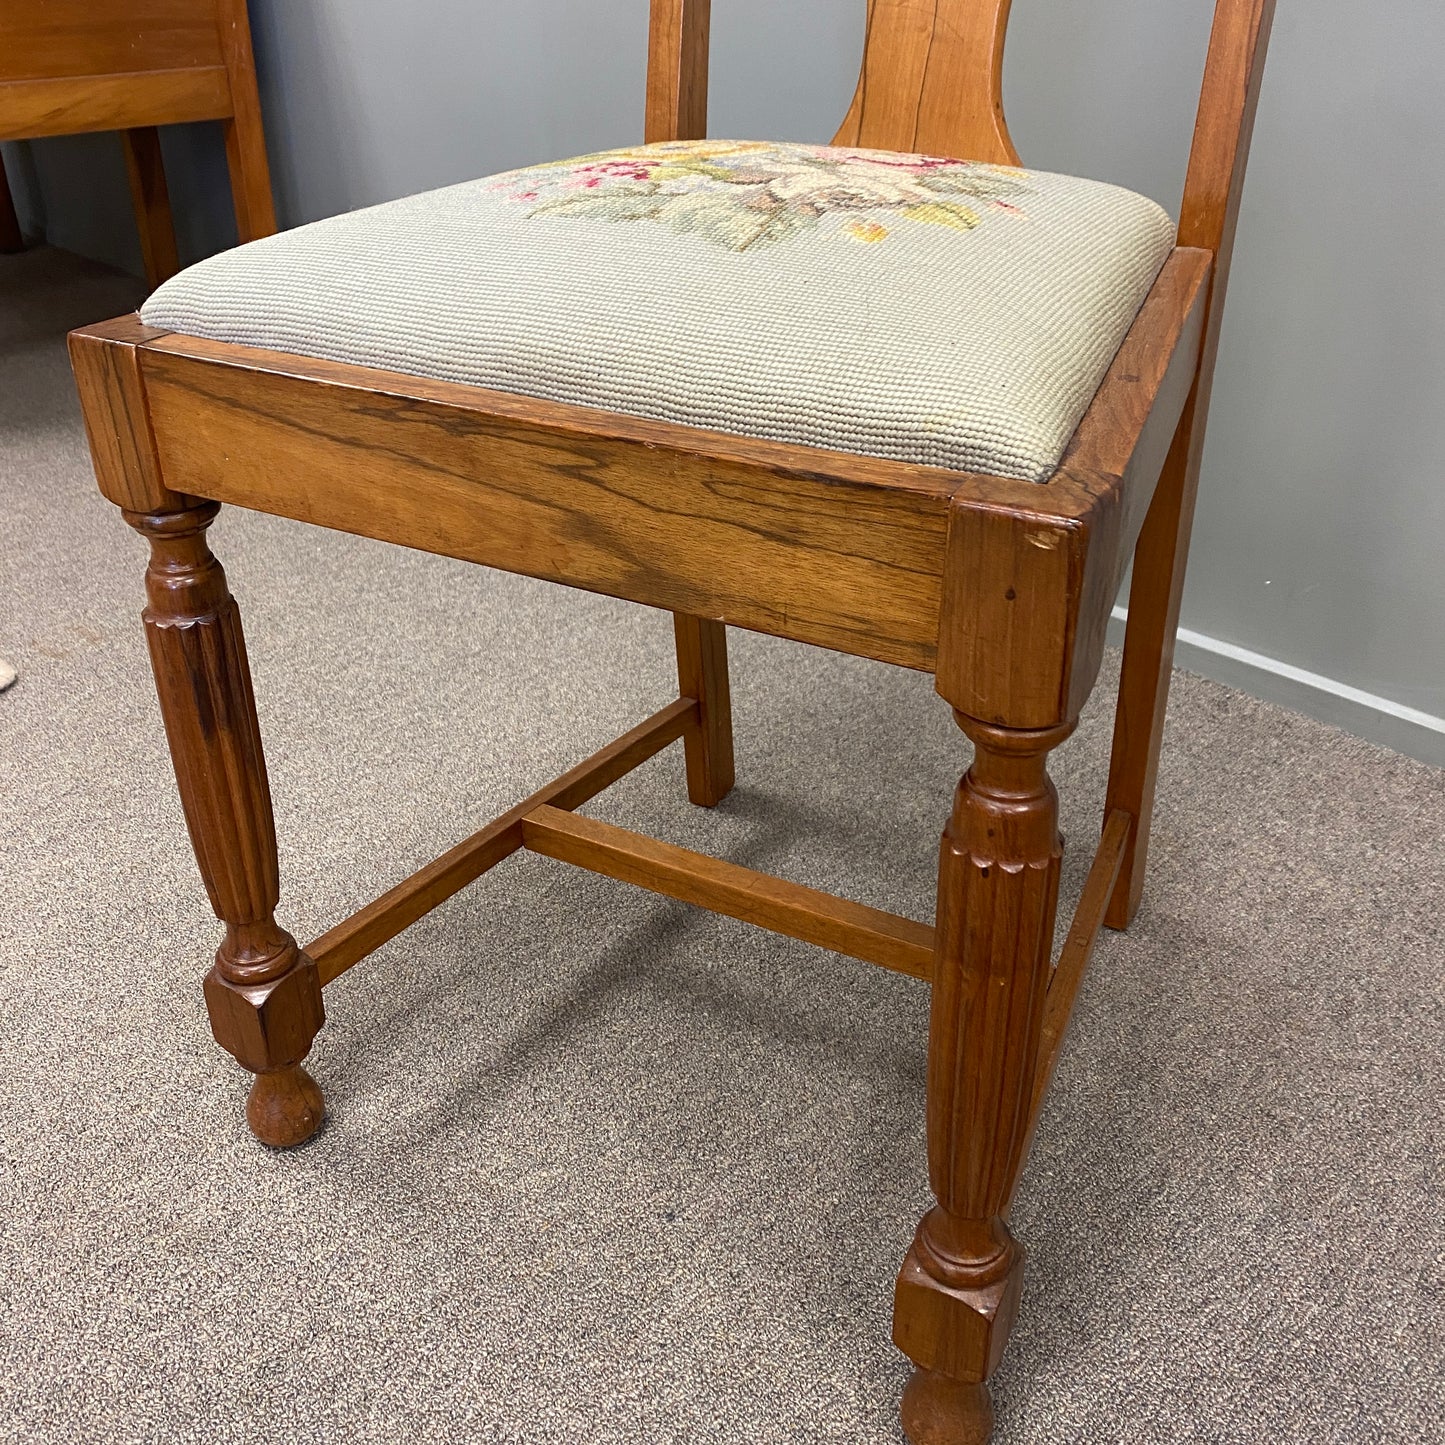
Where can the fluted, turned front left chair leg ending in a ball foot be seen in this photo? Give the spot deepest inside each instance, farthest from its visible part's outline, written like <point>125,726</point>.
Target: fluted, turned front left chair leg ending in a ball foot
<point>264,993</point>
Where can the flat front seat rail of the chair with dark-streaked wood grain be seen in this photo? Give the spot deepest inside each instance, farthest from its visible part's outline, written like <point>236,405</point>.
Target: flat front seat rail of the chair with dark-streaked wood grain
<point>667,517</point>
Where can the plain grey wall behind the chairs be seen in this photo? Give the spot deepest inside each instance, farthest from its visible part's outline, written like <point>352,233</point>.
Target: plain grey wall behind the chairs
<point>1323,518</point>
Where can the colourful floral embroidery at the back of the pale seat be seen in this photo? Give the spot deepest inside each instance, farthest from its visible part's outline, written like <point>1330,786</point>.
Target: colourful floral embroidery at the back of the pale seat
<point>745,194</point>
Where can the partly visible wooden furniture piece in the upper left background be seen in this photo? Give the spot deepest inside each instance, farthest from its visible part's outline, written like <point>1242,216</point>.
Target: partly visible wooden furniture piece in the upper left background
<point>132,66</point>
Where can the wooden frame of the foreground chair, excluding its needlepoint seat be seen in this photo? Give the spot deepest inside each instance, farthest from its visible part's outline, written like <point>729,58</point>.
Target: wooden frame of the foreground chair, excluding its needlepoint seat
<point>999,587</point>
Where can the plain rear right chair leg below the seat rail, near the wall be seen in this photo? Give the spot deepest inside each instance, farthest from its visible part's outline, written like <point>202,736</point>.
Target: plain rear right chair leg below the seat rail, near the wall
<point>1155,595</point>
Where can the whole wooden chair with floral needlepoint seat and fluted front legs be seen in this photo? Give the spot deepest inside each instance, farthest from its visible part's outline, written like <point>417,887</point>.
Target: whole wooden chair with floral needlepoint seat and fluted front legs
<point>895,398</point>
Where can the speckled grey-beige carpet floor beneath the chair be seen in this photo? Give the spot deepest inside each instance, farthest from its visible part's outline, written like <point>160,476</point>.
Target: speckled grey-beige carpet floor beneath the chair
<point>602,1168</point>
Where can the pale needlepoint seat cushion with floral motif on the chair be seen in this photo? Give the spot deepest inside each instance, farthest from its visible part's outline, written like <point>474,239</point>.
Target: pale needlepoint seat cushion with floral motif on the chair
<point>905,307</point>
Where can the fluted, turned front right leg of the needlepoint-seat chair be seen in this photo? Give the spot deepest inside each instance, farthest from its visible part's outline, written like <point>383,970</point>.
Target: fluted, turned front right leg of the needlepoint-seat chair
<point>998,895</point>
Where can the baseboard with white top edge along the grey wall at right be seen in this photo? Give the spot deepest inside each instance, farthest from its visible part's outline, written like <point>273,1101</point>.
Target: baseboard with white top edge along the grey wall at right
<point>1407,730</point>
